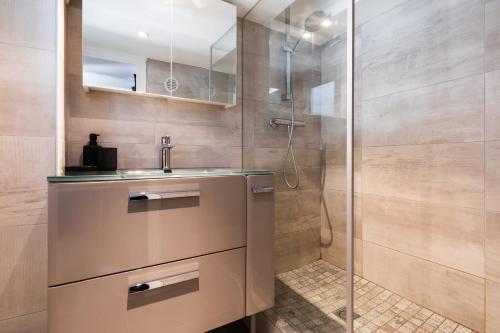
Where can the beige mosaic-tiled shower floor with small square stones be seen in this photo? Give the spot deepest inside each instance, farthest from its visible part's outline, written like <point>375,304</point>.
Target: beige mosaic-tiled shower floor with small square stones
<point>308,298</point>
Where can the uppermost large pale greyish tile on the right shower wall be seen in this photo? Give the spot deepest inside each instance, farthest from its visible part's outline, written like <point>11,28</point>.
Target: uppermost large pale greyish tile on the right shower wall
<point>394,59</point>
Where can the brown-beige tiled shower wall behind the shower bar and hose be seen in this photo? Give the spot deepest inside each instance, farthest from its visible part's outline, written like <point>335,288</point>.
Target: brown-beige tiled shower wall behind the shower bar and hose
<point>297,211</point>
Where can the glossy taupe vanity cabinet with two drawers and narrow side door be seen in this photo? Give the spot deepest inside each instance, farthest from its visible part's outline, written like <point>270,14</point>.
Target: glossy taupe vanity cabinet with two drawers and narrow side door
<point>159,255</point>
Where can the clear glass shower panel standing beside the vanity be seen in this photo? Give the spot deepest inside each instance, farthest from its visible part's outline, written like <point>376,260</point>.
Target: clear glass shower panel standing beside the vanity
<point>294,122</point>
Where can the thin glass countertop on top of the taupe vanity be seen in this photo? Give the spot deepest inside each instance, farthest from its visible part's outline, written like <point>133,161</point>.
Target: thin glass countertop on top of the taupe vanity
<point>151,174</point>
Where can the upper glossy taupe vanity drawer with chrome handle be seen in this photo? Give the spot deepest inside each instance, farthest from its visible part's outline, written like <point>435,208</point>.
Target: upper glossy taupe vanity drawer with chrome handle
<point>96,229</point>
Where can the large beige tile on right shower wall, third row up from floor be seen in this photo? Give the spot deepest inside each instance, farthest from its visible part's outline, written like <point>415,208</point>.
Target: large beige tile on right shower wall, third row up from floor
<point>449,174</point>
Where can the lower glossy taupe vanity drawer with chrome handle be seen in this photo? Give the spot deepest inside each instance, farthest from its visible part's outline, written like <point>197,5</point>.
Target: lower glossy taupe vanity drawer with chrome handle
<point>191,296</point>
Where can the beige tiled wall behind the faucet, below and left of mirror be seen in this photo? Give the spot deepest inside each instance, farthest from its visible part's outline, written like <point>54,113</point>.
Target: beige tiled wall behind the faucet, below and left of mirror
<point>203,135</point>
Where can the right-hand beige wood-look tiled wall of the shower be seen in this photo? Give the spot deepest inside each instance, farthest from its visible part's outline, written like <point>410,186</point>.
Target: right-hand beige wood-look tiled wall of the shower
<point>427,154</point>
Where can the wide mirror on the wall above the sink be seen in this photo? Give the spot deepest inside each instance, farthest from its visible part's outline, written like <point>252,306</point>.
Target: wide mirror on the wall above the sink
<point>174,48</point>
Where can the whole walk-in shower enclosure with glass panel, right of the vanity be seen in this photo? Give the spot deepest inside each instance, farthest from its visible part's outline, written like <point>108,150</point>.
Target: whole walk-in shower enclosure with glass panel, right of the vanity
<point>386,152</point>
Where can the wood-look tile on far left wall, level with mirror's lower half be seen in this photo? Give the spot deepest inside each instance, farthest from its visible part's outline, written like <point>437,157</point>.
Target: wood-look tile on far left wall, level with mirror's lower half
<point>27,91</point>
